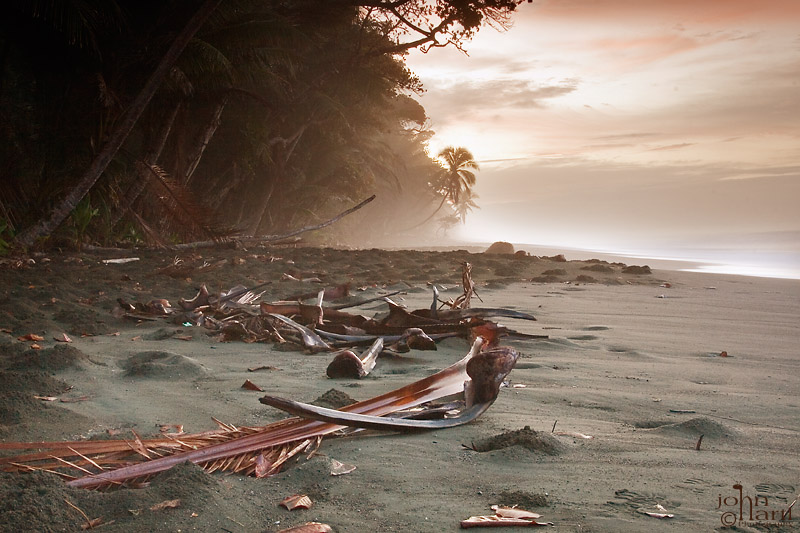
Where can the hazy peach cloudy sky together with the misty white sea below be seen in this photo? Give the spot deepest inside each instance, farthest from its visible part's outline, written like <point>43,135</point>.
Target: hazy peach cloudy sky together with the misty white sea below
<point>653,127</point>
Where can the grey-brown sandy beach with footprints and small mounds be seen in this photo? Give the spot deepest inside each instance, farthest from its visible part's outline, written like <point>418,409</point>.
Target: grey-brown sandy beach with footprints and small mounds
<point>631,360</point>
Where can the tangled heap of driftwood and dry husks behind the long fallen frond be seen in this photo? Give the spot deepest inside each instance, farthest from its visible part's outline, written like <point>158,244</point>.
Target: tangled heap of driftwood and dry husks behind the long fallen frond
<point>238,315</point>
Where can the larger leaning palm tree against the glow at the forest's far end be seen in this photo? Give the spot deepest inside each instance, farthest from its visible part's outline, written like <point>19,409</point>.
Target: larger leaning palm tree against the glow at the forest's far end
<point>455,182</point>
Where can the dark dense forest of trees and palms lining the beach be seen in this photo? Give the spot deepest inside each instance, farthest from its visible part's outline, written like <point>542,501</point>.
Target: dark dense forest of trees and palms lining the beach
<point>278,113</point>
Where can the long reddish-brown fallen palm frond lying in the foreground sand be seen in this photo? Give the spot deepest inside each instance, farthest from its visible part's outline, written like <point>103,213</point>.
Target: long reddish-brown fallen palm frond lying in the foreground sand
<point>259,451</point>
